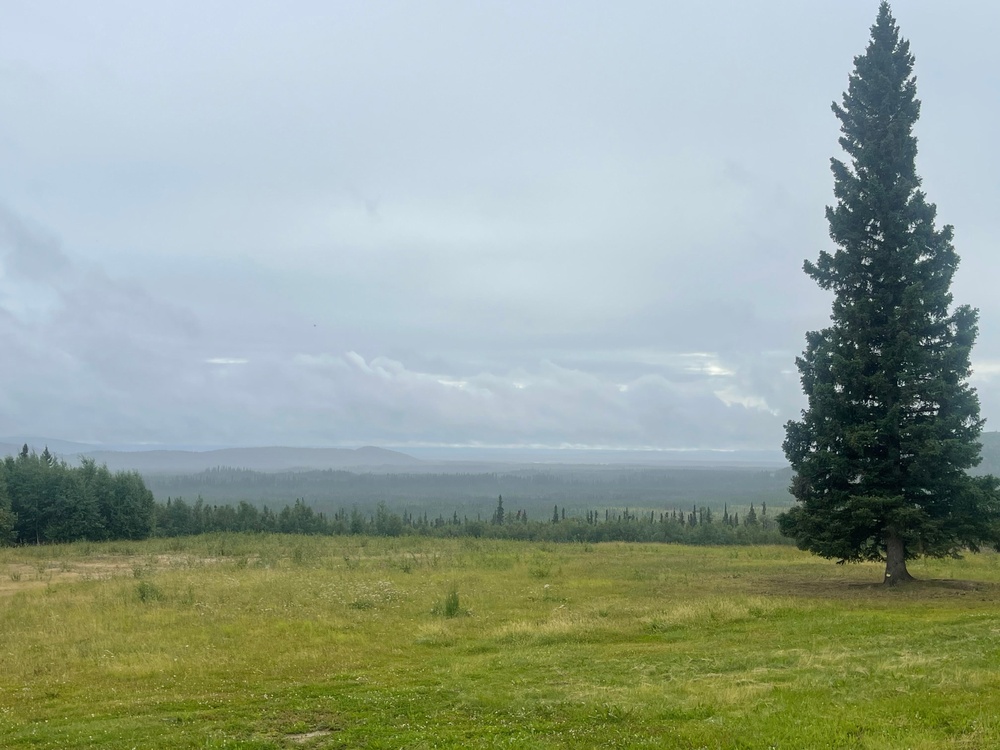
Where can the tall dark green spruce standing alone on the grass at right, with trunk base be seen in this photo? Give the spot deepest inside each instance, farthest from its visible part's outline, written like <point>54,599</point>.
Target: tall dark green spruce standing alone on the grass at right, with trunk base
<point>881,453</point>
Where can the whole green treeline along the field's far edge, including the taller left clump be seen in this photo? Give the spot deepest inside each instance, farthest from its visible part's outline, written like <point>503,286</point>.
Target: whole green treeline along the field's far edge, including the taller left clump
<point>43,500</point>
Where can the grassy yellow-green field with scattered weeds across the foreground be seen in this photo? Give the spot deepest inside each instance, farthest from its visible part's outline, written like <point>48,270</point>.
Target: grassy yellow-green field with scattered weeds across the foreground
<point>284,642</point>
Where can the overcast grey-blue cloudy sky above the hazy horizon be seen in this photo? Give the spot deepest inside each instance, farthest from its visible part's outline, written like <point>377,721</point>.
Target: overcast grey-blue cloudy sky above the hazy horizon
<point>448,223</point>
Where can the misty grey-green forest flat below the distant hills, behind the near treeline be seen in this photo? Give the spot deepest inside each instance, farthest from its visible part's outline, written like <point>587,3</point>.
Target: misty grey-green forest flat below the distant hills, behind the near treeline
<point>536,490</point>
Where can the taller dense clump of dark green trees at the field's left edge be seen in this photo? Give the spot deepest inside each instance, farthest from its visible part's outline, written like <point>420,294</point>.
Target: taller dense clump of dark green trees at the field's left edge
<point>42,500</point>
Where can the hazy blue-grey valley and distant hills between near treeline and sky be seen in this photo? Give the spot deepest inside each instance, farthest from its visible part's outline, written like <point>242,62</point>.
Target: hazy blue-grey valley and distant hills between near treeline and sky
<point>330,480</point>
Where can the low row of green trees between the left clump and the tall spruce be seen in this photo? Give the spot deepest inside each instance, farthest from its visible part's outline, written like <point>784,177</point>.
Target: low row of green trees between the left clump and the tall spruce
<point>177,517</point>
